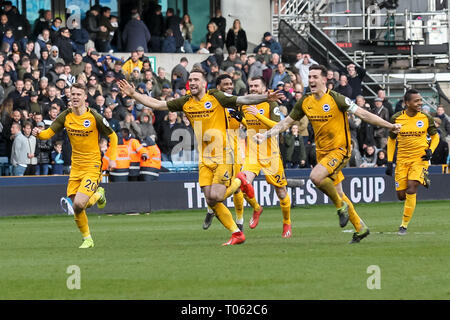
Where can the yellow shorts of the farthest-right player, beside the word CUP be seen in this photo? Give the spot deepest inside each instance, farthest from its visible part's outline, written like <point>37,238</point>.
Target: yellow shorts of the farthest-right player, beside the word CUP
<point>412,170</point>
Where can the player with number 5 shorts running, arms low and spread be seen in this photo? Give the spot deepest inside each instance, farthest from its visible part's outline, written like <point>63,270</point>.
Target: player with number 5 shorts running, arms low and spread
<point>327,112</point>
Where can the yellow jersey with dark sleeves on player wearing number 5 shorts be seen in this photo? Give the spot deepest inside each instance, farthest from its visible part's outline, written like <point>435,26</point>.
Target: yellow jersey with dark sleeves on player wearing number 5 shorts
<point>329,119</point>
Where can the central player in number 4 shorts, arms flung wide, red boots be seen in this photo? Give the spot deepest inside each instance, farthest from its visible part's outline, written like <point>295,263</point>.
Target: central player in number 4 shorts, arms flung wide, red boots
<point>206,112</point>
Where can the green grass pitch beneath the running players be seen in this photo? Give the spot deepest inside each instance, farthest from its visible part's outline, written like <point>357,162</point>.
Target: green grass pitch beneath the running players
<point>167,255</point>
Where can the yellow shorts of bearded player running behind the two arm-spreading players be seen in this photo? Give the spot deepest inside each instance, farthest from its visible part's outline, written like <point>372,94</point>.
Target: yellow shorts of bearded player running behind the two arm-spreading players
<point>272,168</point>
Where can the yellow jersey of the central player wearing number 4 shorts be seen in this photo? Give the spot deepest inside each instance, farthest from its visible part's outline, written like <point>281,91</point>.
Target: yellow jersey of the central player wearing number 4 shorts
<point>209,120</point>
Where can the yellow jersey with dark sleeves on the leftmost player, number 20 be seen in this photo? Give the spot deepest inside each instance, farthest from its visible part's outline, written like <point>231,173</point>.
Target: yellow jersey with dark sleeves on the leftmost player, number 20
<point>84,134</point>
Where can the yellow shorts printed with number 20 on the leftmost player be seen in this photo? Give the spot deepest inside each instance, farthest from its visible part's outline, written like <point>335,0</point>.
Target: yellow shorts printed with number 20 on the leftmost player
<point>84,182</point>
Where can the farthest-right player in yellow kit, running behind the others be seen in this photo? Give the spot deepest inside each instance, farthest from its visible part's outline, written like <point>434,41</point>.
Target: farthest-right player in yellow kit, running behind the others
<point>413,152</point>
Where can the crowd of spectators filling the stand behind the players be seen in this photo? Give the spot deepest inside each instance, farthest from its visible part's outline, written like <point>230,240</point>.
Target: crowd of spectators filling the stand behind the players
<point>37,68</point>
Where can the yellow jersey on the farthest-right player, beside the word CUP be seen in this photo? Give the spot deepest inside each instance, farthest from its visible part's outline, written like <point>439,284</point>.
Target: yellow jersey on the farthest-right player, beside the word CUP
<point>412,138</point>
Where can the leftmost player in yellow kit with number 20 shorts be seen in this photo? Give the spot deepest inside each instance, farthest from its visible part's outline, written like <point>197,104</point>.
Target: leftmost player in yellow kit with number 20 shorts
<point>84,127</point>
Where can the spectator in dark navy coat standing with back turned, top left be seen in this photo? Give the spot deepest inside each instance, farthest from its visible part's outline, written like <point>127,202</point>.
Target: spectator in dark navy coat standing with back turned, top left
<point>135,34</point>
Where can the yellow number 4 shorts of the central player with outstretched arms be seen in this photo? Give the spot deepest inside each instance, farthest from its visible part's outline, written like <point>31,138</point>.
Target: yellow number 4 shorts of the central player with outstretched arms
<point>215,173</point>
